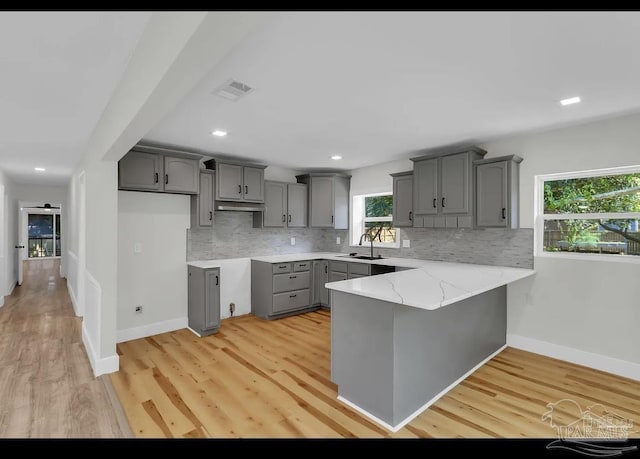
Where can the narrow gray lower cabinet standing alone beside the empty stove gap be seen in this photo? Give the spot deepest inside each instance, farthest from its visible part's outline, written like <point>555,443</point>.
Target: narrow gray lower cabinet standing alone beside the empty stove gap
<point>204,300</point>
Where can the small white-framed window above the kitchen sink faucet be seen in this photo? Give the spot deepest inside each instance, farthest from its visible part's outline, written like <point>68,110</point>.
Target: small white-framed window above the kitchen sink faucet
<point>373,215</point>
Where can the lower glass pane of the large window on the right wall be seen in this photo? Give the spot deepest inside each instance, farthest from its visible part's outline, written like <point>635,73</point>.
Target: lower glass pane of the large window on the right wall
<point>620,237</point>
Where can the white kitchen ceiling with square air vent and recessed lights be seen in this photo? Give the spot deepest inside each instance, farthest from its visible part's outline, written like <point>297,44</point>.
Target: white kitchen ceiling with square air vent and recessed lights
<point>377,86</point>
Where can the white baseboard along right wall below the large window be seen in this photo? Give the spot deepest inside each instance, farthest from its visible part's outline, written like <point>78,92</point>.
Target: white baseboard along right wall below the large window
<point>577,356</point>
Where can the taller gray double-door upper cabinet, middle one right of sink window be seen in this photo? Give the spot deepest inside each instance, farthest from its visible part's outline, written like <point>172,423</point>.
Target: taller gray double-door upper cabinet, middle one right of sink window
<point>444,189</point>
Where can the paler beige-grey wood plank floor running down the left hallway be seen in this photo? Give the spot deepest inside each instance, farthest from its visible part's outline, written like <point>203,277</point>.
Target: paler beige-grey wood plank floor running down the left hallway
<point>47,388</point>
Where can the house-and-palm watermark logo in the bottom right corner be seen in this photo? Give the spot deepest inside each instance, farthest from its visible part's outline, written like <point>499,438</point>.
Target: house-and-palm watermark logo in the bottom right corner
<point>595,431</point>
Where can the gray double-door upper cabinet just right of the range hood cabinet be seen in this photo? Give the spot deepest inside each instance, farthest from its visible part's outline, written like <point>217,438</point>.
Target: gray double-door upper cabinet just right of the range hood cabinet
<point>285,206</point>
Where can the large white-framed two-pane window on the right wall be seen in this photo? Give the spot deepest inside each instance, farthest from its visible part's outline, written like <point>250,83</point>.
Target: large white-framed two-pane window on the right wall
<point>591,213</point>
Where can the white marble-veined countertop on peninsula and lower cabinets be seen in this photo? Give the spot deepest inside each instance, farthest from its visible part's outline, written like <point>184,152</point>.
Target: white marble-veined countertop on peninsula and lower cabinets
<point>431,285</point>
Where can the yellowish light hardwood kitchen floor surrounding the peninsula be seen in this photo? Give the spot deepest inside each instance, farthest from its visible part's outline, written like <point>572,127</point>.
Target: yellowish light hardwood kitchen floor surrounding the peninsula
<point>271,379</point>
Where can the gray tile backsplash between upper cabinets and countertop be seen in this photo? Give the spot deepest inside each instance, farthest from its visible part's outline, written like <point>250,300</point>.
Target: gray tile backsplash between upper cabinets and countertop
<point>233,236</point>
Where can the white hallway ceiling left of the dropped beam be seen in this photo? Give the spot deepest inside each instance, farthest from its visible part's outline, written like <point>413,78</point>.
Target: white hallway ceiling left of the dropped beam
<point>57,73</point>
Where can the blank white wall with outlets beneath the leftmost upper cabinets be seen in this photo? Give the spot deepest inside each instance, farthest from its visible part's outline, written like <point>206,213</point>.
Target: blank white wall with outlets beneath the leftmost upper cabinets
<point>156,278</point>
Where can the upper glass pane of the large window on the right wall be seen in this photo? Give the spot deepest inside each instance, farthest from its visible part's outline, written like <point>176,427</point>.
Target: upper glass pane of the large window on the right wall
<point>611,193</point>
